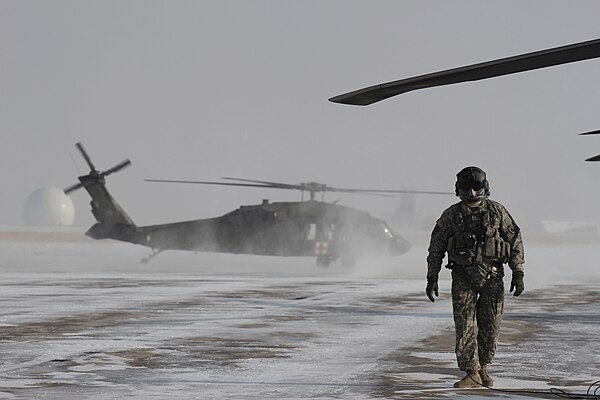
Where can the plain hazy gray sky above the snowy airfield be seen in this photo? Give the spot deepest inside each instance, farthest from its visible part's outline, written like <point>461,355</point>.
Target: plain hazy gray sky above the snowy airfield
<point>204,89</point>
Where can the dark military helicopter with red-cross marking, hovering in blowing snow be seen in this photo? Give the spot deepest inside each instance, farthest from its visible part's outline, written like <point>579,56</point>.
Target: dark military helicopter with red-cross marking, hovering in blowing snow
<point>312,228</point>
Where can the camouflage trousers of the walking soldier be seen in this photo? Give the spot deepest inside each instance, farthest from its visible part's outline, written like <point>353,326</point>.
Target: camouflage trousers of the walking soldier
<point>477,316</point>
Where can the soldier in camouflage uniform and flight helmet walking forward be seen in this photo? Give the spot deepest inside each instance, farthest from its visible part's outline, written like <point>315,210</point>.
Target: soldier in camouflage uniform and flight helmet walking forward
<point>479,236</point>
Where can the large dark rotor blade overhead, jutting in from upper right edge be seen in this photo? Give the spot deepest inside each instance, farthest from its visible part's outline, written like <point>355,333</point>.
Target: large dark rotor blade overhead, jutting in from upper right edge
<point>504,66</point>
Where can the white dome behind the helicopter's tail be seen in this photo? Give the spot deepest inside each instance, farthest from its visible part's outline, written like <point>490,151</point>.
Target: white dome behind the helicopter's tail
<point>49,206</point>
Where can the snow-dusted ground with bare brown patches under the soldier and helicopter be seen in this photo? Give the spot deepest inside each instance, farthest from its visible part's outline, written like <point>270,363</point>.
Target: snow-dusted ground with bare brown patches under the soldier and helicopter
<point>87,320</point>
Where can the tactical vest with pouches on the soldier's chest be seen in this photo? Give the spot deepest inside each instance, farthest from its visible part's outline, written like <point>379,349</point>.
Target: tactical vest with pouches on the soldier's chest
<point>476,239</point>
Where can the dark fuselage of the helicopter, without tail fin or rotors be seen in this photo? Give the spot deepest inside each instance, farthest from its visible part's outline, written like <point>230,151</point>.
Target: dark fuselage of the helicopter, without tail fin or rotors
<point>310,228</point>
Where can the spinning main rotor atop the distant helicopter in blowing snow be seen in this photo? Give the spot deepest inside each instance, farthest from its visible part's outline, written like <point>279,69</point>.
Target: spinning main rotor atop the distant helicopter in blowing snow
<point>311,187</point>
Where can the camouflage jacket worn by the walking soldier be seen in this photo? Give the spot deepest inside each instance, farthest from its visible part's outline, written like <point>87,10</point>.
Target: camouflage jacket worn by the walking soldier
<point>490,225</point>
